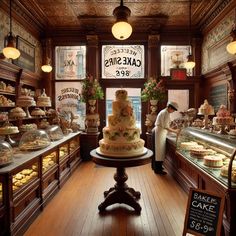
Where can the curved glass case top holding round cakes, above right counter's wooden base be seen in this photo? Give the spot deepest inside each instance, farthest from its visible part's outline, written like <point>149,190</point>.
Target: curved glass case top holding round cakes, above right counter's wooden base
<point>210,152</point>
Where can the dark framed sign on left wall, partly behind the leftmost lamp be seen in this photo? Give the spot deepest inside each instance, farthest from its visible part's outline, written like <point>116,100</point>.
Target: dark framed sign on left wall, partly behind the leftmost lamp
<point>27,54</point>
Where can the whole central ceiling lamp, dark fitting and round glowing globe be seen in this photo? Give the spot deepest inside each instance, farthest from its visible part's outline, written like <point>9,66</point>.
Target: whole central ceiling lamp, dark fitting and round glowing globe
<point>121,30</point>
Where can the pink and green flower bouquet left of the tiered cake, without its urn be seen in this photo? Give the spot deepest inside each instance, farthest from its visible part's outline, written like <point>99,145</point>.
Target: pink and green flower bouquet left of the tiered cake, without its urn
<point>91,89</point>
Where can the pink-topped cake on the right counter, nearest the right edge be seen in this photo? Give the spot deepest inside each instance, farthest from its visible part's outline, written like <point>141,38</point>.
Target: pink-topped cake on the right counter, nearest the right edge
<point>223,117</point>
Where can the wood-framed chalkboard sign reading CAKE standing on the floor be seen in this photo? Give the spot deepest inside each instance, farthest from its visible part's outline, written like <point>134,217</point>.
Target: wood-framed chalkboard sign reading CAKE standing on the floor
<point>204,213</point>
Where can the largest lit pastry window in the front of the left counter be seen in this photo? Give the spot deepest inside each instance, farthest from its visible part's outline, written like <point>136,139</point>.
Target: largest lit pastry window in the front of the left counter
<point>24,176</point>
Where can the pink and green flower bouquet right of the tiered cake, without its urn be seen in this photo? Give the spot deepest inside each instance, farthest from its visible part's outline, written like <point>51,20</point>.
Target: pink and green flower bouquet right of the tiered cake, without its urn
<point>153,90</point>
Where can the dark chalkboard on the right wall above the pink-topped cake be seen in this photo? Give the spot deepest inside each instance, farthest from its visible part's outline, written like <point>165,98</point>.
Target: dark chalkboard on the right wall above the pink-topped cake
<point>218,96</point>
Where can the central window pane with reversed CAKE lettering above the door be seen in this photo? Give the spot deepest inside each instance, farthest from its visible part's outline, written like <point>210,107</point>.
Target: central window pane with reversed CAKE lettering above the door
<point>123,61</point>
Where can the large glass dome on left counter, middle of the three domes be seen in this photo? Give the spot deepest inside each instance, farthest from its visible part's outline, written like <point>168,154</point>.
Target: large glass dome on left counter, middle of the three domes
<point>34,140</point>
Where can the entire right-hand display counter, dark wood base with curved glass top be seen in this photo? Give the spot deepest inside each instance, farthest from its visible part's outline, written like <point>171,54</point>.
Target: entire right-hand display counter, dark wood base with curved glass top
<point>191,171</point>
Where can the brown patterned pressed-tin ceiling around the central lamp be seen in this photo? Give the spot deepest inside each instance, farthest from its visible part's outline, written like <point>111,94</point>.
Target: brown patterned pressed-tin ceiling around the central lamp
<point>97,14</point>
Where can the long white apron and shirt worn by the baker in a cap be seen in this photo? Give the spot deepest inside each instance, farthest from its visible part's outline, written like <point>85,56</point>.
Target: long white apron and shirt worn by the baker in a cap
<point>162,122</point>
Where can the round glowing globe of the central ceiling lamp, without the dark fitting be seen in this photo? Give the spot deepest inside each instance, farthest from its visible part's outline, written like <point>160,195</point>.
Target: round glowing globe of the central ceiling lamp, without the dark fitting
<point>121,30</point>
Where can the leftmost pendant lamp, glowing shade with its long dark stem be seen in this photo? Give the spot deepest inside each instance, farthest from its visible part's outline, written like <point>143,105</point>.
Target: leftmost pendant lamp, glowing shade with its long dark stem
<point>10,51</point>
